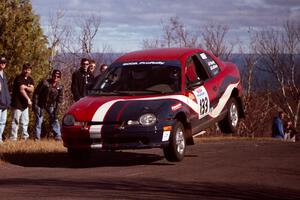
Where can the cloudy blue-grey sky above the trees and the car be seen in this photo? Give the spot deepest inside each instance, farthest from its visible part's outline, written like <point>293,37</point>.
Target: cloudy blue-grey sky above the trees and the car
<point>125,23</point>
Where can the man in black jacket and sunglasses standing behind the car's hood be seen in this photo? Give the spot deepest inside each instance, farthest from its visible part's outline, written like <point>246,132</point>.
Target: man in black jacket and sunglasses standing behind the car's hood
<point>81,80</point>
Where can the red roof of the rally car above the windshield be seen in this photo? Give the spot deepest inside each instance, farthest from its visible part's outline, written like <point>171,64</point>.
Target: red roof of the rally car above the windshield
<point>157,54</point>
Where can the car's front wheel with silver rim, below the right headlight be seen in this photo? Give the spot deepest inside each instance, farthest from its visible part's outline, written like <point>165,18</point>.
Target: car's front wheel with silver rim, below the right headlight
<point>175,150</point>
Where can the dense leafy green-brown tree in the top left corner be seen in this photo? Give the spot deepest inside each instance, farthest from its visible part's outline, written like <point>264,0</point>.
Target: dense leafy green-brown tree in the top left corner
<point>22,39</point>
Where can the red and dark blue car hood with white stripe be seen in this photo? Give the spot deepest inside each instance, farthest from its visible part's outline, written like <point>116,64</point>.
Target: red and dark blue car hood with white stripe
<point>116,108</point>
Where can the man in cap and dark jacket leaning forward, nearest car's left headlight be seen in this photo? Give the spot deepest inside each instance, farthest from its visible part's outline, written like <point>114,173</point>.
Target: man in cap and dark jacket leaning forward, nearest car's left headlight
<point>48,96</point>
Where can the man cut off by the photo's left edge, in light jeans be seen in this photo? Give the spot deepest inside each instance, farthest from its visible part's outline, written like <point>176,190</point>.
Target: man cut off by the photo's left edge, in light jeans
<point>5,98</point>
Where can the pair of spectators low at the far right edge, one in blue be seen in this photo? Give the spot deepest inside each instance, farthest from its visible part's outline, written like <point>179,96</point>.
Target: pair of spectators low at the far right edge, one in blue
<point>283,130</point>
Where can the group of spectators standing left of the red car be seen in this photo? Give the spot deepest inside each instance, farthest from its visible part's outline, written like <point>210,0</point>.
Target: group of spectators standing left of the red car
<point>47,98</point>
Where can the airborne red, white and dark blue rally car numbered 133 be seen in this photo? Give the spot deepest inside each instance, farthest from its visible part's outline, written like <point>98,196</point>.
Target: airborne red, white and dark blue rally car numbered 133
<point>155,98</point>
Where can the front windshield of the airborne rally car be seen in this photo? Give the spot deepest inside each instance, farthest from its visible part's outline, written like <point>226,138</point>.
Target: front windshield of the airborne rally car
<point>138,80</point>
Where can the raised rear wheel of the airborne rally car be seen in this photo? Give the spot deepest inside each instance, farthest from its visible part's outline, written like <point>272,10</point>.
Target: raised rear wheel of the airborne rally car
<point>230,122</point>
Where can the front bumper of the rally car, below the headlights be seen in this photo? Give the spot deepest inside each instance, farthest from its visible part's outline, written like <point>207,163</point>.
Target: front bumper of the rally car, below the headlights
<point>113,137</point>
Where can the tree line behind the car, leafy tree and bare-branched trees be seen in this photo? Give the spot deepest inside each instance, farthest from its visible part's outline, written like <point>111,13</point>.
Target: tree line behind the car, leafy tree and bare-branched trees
<point>271,51</point>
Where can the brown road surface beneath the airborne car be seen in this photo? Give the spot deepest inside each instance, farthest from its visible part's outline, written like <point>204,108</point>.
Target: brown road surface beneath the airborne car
<point>231,169</point>
